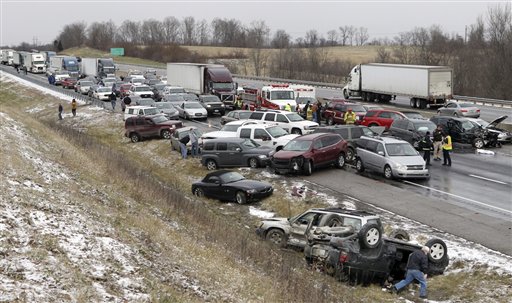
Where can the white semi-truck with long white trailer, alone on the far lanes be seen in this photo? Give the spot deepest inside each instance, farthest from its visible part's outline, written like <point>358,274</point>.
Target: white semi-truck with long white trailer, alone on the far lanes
<point>426,86</point>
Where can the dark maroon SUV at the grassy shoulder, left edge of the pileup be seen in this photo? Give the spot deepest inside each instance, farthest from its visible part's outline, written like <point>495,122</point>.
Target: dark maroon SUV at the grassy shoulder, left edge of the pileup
<point>139,127</point>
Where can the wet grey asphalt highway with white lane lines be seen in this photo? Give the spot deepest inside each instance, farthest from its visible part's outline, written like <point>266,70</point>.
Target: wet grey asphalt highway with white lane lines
<point>472,199</point>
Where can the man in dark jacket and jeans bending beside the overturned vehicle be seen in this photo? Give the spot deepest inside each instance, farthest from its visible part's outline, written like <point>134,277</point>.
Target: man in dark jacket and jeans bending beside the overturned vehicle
<point>416,270</point>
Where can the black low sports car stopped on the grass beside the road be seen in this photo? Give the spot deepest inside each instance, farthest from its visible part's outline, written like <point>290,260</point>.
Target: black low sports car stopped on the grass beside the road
<point>231,186</point>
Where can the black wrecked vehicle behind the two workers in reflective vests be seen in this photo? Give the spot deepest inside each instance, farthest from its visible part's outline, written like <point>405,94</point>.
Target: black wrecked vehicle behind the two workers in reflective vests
<point>462,130</point>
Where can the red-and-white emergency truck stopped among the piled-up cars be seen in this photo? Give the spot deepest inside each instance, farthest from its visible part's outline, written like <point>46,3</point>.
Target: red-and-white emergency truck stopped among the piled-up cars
<point>274,96</point>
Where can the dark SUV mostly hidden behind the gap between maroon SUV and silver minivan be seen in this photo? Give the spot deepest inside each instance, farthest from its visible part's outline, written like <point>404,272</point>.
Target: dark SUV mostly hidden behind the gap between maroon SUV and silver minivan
<point>349,133</point>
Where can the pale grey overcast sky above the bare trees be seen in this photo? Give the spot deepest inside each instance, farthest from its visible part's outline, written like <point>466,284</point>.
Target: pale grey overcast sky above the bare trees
<point>26,21</point>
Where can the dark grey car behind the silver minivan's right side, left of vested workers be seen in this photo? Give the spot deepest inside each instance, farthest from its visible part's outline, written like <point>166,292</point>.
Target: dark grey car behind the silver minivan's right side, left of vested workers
<point>411,130</point>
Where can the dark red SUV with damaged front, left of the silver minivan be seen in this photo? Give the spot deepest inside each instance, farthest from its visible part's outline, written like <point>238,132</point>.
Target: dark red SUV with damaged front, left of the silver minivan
<point>305,153</point>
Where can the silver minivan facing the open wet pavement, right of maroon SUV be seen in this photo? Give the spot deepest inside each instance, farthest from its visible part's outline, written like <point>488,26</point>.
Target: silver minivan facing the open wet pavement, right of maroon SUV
<point>393,157</point>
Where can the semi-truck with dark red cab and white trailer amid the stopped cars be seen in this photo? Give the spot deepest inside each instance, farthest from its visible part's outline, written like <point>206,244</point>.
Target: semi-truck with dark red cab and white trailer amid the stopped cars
<point>204,79</point>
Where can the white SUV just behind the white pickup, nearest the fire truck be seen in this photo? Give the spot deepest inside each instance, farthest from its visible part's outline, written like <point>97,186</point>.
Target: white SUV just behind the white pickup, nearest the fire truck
<point>290,121</point>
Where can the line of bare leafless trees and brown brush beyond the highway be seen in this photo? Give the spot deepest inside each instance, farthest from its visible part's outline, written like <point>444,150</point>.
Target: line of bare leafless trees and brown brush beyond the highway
<point>482,59</point>
